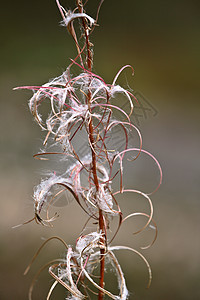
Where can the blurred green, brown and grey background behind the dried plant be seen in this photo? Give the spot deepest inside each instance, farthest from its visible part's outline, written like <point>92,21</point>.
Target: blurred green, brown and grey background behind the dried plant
<point>160,39</point>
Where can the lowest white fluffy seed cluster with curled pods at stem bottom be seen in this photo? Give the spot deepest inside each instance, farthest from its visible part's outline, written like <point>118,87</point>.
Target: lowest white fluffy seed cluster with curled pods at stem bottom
<point>81,264</point>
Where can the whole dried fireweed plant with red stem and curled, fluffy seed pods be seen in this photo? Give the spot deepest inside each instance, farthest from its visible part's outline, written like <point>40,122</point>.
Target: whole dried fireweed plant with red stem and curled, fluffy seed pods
<point>84,105</point>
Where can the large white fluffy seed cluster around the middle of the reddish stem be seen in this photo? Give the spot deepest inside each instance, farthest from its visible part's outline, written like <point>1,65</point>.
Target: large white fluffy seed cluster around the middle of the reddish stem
<point>69,116</point>
